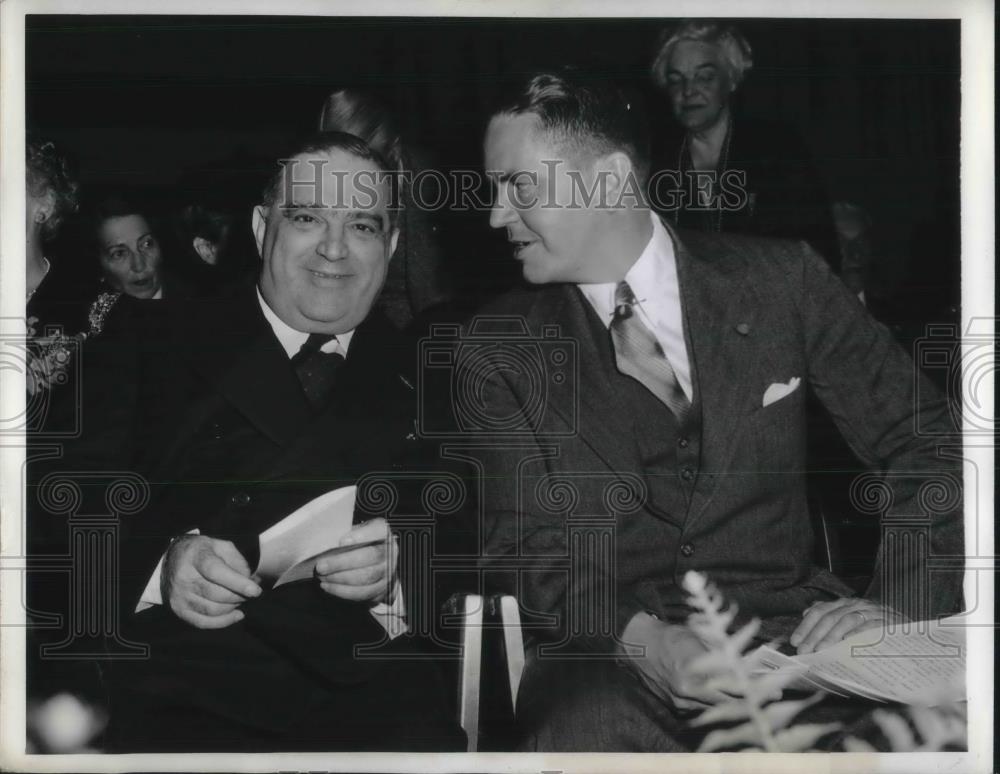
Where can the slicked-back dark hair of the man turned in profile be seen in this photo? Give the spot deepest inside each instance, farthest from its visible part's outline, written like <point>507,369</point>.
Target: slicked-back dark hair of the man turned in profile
<point>590,114</point>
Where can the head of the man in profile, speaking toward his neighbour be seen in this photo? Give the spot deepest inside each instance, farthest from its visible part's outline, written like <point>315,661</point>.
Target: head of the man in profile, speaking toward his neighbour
<point>571,159</point>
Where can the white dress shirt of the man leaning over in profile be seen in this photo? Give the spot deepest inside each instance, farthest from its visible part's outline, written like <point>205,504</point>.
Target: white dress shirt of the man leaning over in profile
<point>653,279</point>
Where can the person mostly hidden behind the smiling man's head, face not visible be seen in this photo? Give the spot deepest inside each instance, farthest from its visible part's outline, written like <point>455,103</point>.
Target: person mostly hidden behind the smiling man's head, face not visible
<point>417,280</point>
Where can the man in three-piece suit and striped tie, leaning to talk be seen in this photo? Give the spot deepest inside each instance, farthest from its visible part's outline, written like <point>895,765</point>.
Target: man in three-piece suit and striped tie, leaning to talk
<point>695,353</point>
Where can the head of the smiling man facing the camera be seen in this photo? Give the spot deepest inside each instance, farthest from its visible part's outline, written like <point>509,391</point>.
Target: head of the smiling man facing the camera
<point>325,233</point>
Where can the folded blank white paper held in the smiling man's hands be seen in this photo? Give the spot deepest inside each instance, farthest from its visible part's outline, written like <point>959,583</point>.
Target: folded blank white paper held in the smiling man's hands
<point>290,549</point>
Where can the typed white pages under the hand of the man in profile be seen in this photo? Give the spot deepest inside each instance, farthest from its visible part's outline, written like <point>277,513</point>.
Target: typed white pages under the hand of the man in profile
<point>921,663</point>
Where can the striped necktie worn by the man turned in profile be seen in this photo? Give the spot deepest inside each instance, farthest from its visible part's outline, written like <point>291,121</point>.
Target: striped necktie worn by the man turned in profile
<point>639,355</point>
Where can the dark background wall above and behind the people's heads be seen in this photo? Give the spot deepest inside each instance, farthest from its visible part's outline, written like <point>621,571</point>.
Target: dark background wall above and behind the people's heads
<point>174,103</point>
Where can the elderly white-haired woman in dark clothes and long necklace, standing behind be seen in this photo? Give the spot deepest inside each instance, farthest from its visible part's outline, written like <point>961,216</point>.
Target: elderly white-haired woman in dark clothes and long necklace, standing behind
<point>733,173</point>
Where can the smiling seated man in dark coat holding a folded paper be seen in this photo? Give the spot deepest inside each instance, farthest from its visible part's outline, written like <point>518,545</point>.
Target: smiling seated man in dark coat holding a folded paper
<point>237,412</point>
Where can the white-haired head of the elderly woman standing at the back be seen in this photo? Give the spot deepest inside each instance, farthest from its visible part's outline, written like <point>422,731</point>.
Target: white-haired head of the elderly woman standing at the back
<point>698,65</point>
